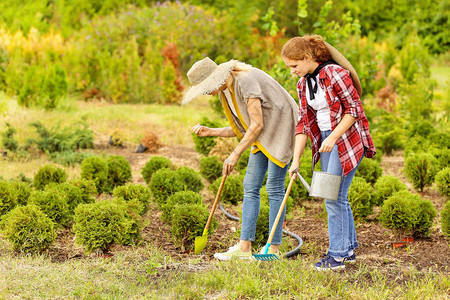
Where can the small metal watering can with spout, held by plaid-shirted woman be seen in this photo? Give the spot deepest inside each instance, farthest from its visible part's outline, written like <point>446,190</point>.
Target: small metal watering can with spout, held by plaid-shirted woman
<point>323,185</point>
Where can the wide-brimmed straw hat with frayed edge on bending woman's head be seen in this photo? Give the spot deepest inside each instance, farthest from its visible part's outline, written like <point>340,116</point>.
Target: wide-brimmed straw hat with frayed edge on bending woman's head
<point>206,76</point>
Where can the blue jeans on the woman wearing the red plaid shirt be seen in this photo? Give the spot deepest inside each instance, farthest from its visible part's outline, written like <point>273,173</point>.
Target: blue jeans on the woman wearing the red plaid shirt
<point>341,226</point>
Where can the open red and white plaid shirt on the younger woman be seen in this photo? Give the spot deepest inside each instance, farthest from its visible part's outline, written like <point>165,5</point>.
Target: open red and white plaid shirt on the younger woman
<point>342,98</point>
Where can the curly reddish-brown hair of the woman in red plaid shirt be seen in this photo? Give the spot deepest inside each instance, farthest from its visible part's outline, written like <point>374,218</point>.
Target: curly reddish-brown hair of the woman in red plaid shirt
<point>313,45</point>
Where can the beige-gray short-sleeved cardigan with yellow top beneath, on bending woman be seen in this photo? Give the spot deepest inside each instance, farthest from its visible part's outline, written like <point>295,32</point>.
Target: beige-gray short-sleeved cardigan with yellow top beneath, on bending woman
<point>280,114</point>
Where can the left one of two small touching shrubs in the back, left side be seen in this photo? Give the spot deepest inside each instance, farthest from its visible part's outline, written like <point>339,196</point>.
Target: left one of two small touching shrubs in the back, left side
<point>96,169</point>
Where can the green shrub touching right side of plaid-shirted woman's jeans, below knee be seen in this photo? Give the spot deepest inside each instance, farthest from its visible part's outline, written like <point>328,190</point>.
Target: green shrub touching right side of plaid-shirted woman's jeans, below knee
<point>360,197</point>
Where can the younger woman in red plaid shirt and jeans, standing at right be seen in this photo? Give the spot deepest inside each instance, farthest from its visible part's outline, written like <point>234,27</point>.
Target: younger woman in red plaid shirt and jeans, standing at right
<point>332,116</point>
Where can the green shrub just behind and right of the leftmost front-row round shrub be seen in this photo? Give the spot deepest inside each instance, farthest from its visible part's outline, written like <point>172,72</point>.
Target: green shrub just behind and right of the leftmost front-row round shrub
<point>52,201</point>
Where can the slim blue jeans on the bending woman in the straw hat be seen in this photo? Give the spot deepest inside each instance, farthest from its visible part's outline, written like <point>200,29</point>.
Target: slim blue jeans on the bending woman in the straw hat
<point>258,165</point>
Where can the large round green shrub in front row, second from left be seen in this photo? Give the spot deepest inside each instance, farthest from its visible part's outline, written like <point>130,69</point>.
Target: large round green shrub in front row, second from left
<point>102,224</point>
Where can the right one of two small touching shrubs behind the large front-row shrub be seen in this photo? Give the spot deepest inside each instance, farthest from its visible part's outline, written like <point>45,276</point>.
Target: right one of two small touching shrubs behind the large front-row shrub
<point>119,171</point>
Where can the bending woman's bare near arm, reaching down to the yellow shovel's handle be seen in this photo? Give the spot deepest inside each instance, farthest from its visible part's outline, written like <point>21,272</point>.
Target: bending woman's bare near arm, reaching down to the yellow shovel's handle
<point>255,127</point>
